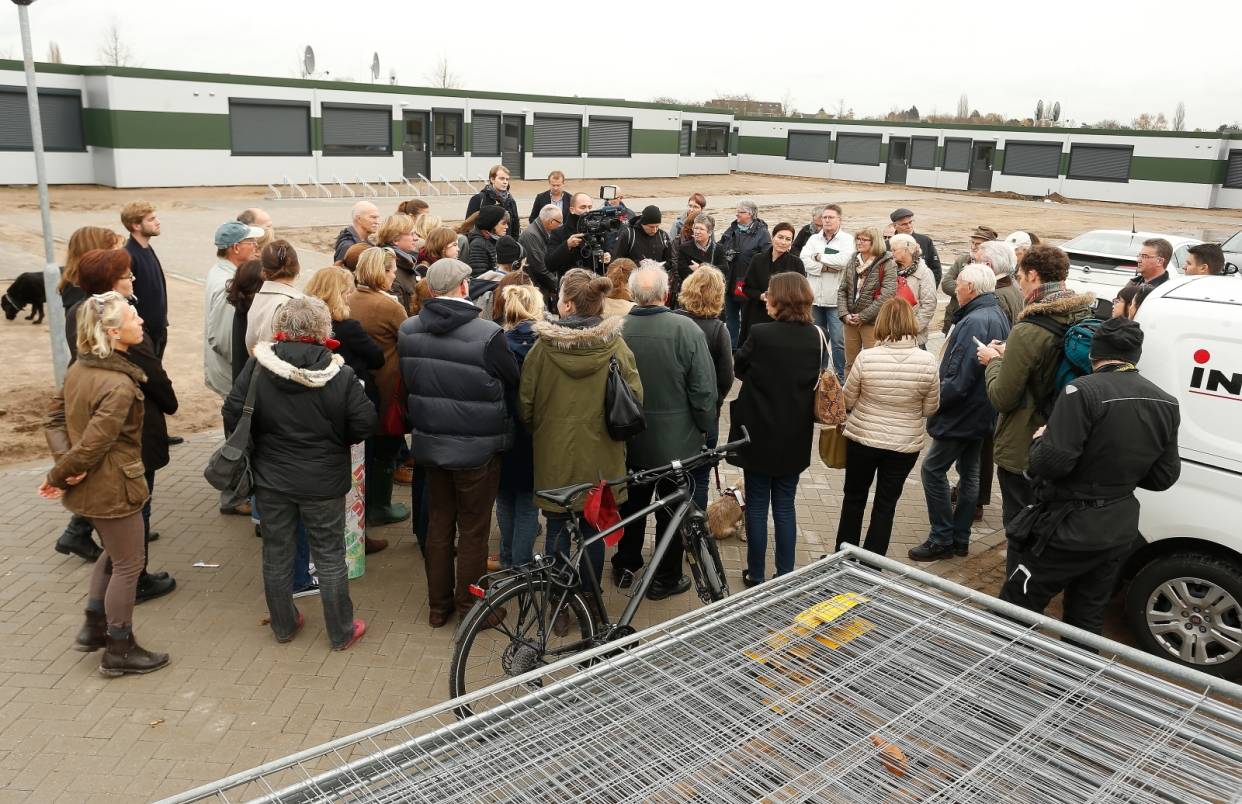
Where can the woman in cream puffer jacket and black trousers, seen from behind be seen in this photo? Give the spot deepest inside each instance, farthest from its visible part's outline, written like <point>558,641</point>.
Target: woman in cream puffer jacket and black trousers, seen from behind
<point>892,390</point>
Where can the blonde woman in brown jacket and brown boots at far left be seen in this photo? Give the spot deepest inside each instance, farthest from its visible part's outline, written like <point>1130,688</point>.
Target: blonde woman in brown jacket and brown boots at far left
<point>95,432</point>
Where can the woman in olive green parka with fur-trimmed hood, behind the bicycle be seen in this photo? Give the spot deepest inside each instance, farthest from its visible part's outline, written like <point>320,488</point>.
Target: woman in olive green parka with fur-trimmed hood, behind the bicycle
<point>562,401</point>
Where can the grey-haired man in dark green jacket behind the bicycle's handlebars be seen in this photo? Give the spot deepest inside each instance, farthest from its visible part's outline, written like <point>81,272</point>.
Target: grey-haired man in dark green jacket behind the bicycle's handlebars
<point>671,354</point>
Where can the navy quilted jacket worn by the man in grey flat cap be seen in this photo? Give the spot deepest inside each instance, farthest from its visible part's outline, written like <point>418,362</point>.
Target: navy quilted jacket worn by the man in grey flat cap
<point>458,370</point>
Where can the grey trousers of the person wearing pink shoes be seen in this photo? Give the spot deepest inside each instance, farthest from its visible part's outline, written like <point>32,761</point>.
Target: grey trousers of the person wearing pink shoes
<point>325,523</point>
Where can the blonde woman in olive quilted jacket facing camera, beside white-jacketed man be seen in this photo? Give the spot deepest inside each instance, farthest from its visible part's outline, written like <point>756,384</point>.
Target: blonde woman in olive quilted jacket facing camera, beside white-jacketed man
<point>868,281</point>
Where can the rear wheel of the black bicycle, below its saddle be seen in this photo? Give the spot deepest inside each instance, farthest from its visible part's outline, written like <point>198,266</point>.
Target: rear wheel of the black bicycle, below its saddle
<point>542,623</point>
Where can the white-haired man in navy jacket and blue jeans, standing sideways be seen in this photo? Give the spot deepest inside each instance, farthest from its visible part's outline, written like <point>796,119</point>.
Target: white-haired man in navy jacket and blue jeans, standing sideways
<point>966,417</point>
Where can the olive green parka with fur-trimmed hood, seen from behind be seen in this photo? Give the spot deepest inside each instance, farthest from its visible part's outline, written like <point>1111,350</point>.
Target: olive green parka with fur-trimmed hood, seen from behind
<point>562,402</point>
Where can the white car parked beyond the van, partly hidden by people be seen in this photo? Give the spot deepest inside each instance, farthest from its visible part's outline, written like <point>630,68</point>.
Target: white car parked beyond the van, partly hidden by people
<point>1104,260</point>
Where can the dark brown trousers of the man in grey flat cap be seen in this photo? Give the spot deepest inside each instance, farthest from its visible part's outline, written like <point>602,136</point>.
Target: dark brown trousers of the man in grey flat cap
<point>463,500</point>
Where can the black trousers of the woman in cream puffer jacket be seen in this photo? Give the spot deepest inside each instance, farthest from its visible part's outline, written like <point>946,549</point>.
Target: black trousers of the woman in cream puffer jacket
<point>890,470</point>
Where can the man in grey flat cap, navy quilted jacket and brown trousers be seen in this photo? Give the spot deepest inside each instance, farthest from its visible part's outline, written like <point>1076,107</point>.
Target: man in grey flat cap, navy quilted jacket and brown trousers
<point>459,373</point>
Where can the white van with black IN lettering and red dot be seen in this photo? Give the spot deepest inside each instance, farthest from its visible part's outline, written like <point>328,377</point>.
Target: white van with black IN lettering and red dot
<point>1184,595</point>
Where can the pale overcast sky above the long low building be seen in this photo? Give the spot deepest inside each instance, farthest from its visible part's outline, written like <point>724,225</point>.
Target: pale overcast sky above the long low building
<point>1099,60</point>
